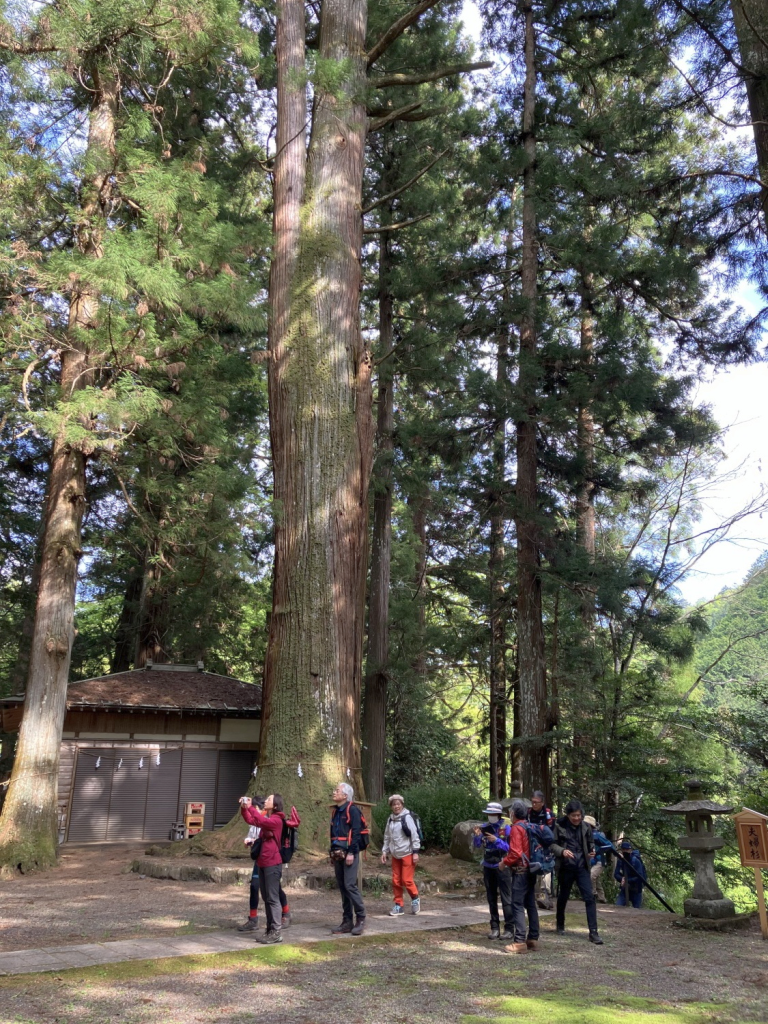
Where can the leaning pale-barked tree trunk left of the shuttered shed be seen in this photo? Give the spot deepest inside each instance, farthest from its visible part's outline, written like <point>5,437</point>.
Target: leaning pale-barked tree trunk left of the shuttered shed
<point>29,827</point>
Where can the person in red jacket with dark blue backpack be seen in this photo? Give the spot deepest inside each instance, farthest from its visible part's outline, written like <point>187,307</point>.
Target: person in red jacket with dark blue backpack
<point>525,862</point>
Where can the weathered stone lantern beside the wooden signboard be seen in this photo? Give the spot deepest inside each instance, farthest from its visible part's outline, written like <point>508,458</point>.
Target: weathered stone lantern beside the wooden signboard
<point>707,901</point>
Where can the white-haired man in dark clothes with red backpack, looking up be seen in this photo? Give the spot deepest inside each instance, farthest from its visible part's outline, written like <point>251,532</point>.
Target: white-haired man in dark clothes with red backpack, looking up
<point>350,836</point>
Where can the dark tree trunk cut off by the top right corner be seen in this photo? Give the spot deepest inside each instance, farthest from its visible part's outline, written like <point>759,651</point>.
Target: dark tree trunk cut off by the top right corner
<point>751,20</point>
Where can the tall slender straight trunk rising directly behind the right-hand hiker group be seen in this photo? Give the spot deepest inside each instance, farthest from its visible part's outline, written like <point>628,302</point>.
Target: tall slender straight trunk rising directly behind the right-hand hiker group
<point>533,677</point>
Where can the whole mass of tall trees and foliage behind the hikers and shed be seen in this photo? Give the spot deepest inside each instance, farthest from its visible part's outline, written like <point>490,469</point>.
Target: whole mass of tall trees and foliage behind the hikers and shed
<point>356,357</point>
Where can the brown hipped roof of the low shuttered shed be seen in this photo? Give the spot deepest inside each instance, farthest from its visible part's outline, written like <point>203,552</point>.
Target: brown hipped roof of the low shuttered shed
<point>163,690</point>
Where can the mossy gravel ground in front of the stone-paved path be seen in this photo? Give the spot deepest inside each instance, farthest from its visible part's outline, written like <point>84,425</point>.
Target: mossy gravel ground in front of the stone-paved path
<point>649,972</point>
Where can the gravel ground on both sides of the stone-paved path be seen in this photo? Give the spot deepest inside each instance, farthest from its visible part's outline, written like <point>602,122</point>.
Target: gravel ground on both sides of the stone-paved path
<point>430,978</point>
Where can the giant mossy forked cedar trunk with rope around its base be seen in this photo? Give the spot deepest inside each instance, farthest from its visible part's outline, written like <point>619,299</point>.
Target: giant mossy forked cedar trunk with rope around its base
<point>321,421</point>
